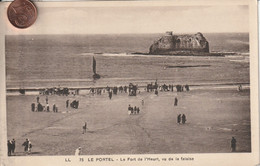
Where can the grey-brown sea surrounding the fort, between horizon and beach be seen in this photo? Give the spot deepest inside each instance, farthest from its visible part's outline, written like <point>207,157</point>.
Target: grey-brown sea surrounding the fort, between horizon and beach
<point>66,60</point>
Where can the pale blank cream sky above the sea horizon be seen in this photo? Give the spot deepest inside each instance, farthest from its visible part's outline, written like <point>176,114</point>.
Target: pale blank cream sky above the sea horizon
<point>139,19</point>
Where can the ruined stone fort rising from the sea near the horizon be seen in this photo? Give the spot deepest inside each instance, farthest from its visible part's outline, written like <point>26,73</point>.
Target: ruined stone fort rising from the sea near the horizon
<point>180,44</point>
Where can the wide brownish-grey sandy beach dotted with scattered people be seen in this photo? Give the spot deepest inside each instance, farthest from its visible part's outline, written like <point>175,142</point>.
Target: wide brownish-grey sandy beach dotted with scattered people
<point>213,117</point>
